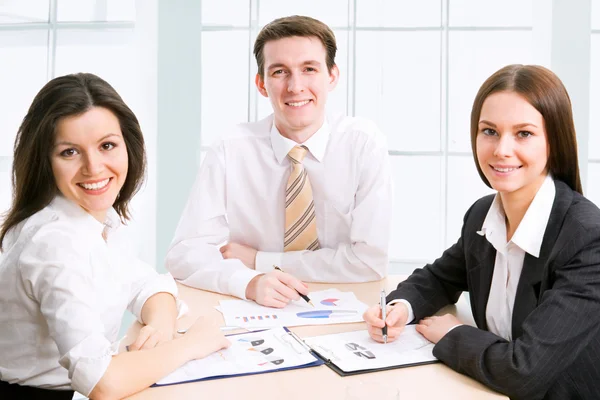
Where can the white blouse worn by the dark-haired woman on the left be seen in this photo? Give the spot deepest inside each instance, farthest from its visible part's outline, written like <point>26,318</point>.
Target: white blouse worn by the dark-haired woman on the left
<point>63,292</point>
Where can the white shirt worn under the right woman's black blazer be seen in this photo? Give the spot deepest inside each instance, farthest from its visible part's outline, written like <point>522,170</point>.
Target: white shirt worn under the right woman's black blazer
<point>510,255</point>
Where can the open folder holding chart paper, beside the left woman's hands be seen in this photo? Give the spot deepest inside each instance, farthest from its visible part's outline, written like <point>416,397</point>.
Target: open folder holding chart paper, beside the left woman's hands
<point>250,353</point>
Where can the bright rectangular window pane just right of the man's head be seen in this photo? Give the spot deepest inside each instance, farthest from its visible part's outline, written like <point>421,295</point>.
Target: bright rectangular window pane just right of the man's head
<point>400,89</point>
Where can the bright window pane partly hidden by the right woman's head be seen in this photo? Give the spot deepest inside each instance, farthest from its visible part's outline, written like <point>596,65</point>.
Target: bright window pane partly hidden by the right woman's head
<point>473,57</point>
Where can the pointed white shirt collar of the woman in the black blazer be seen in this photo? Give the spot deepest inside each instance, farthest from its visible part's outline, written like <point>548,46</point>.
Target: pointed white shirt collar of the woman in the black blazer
<point>530,233</point>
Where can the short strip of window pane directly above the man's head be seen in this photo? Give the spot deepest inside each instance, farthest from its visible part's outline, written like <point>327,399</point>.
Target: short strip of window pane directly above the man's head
<point>332,12</point>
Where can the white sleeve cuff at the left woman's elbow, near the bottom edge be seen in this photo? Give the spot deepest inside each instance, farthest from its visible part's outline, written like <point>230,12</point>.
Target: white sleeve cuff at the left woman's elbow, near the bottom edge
<point>88,361</point>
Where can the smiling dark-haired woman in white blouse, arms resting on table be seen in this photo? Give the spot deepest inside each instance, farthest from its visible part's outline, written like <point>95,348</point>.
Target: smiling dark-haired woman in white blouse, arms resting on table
<point>66,276</point>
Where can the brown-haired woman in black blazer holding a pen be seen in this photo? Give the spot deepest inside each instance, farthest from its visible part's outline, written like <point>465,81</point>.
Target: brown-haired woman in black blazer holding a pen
<point>529,256</point>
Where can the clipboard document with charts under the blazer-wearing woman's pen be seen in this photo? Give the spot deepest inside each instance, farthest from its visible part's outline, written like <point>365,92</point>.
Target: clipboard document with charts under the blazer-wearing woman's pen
<point>351,353</point>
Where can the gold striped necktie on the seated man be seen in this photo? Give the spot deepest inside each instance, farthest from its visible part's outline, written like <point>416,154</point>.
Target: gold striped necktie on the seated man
<point>300,220</point>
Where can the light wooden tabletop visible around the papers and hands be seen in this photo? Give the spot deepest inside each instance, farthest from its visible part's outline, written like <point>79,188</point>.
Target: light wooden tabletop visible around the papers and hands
<point>434,381</point>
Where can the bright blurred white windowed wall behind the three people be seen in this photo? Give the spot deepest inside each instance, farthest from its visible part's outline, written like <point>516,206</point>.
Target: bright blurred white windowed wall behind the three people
<point>186,69</point>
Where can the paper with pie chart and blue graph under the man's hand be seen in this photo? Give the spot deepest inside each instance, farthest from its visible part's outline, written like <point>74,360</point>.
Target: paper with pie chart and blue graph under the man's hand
<point>331,307</point>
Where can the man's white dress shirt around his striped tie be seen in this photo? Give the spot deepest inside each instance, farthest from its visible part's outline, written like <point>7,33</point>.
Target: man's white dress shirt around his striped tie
<point>239,197</point>
